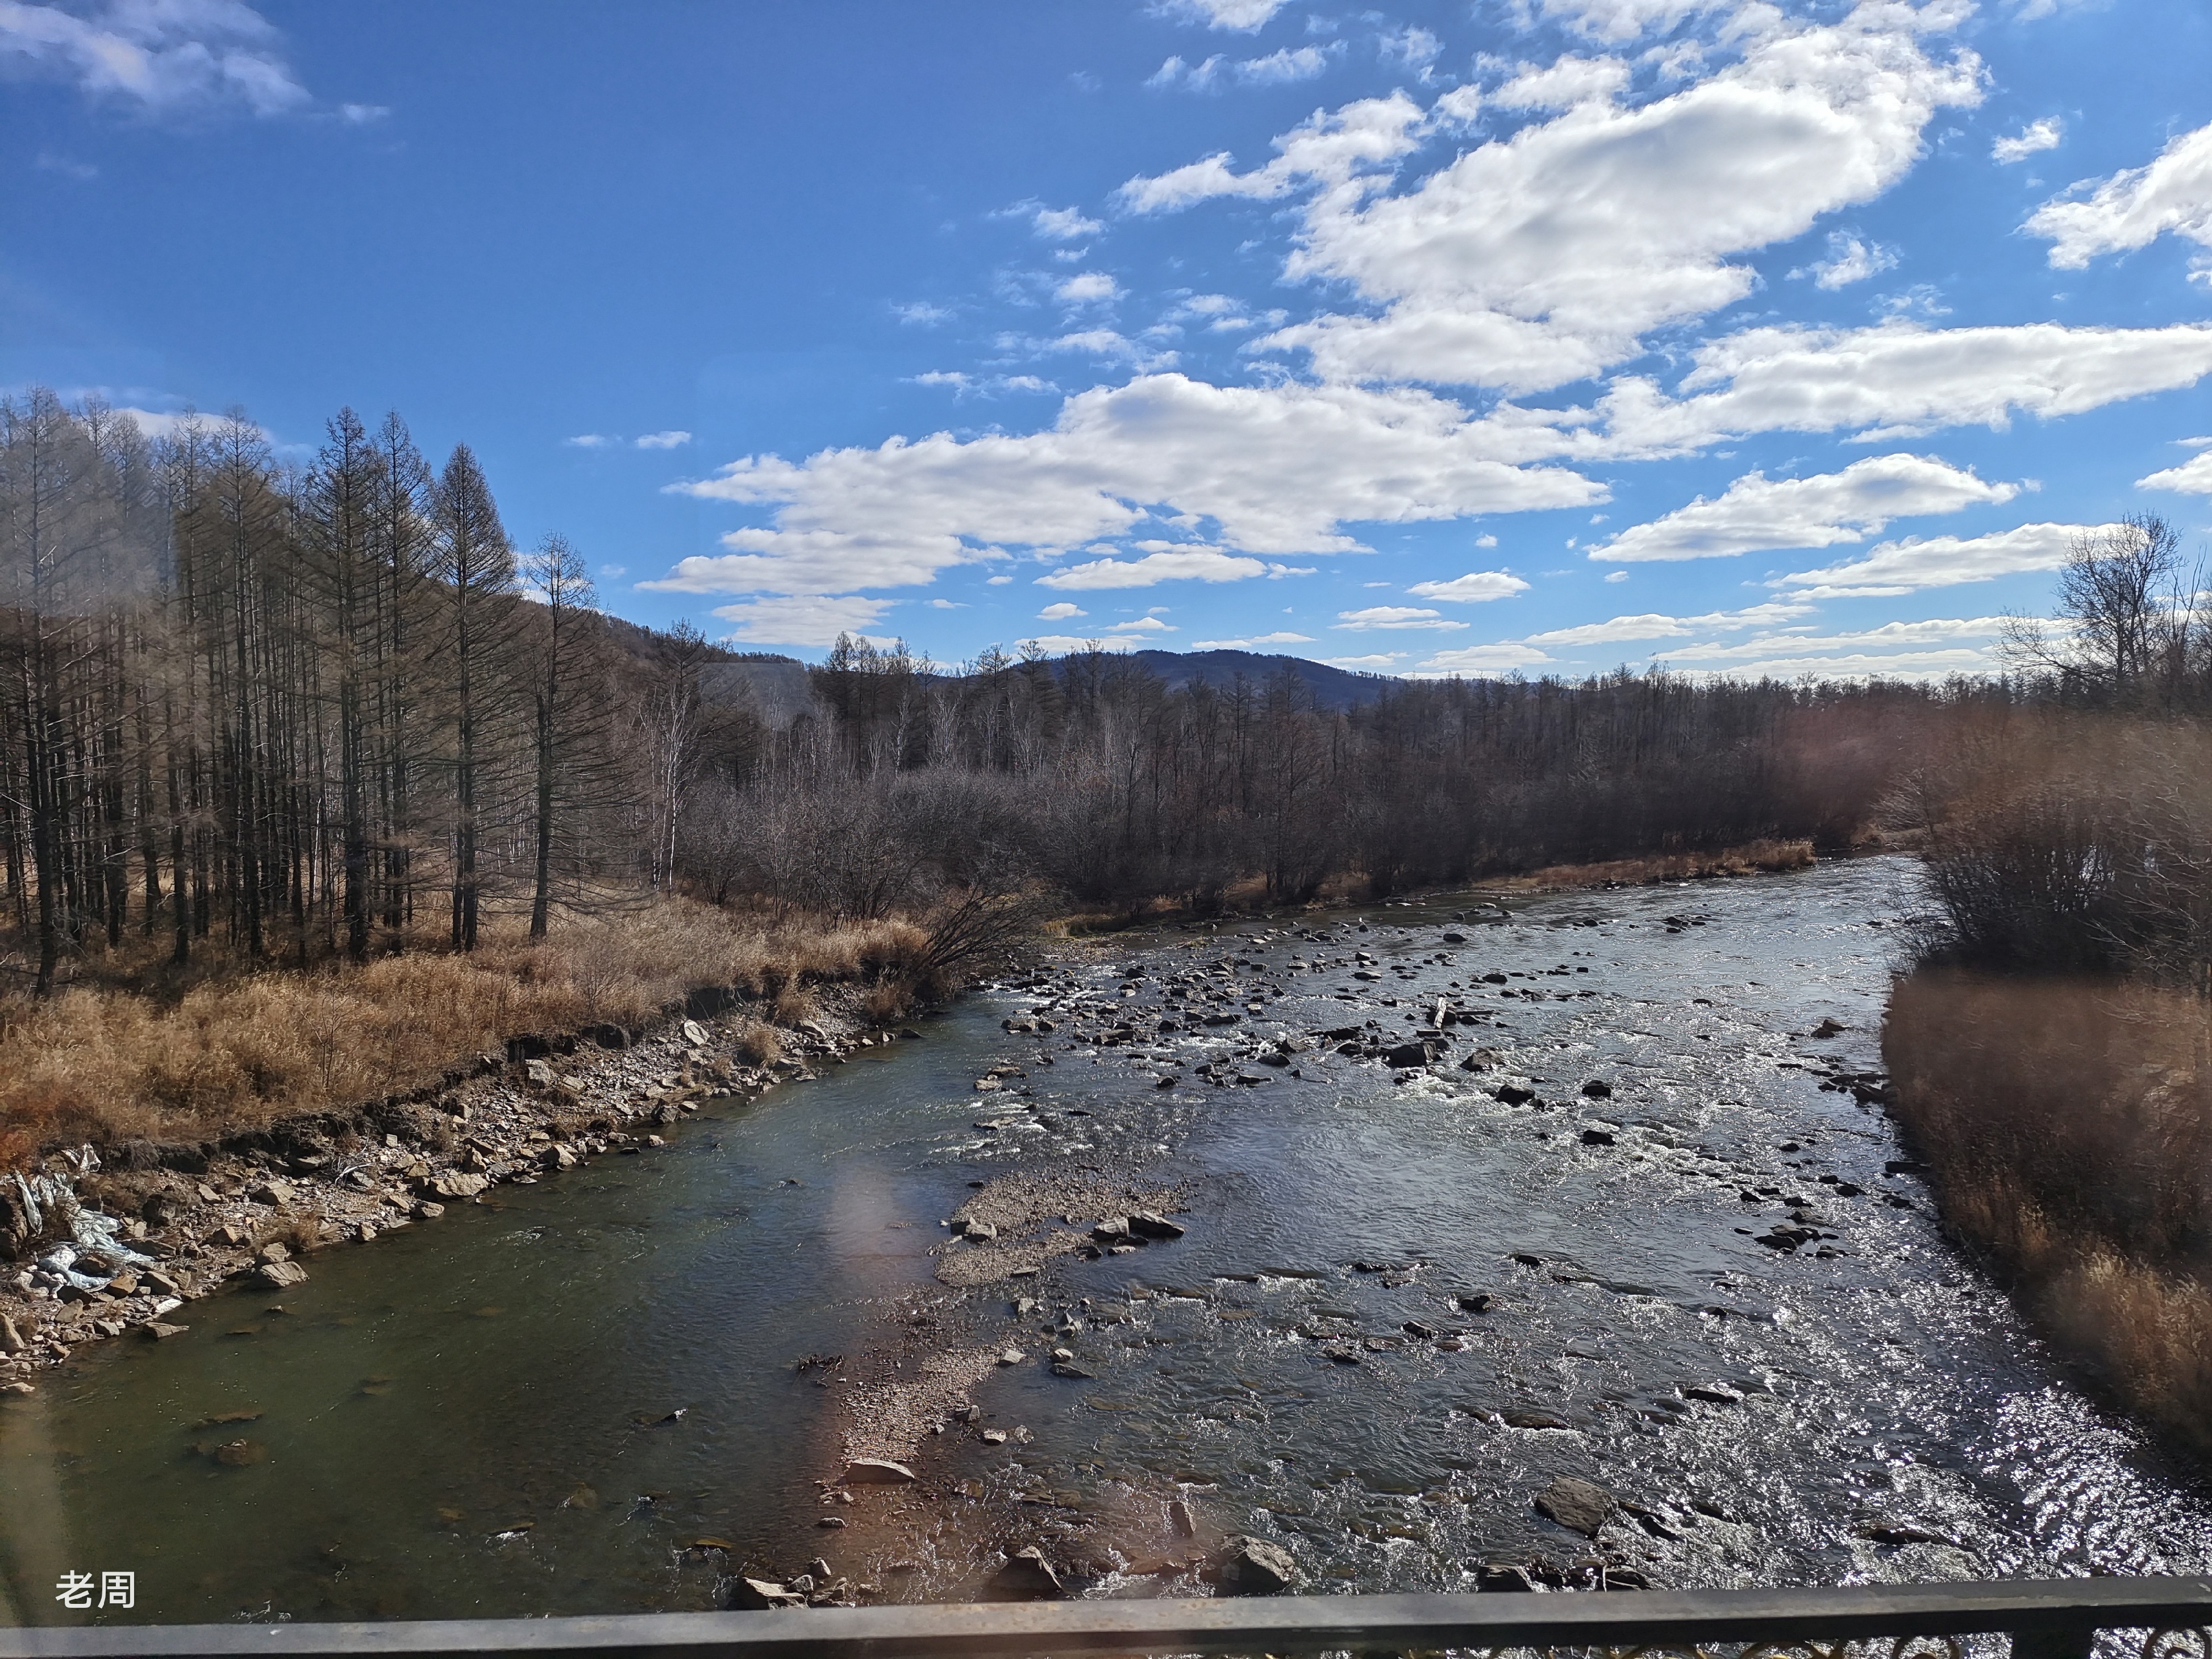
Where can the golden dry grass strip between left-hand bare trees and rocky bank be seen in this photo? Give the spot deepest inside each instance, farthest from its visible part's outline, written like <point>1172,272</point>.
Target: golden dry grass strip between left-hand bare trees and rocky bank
<point>109,1065</point>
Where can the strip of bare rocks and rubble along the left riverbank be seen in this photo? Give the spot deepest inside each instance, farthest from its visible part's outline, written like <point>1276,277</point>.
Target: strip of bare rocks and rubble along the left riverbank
<point>176,1222</point>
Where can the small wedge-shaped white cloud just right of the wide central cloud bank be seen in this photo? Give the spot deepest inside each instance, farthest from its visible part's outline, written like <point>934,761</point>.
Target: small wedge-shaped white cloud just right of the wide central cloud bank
<point>1760,514</point>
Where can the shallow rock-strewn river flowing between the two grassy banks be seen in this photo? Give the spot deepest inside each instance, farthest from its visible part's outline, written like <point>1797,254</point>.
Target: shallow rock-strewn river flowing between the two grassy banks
<point>1423,1246</point>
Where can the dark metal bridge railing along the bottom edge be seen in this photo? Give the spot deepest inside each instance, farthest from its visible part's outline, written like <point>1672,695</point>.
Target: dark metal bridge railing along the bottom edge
<point>2045,1620</point>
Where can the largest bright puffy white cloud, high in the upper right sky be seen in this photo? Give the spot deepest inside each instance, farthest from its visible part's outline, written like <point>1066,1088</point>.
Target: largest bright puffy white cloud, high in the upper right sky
<point>1543,258</point>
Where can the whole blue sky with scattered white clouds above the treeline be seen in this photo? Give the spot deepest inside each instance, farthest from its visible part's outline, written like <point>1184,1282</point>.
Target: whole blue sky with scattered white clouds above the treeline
<point>1523,335</point>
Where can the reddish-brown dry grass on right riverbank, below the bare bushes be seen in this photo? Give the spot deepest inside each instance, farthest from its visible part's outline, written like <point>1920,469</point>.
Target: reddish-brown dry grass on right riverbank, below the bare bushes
<point>2067,1131</point>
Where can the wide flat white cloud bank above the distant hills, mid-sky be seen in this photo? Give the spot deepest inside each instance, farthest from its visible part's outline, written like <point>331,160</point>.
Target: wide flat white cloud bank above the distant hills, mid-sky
<point>1280,470</point>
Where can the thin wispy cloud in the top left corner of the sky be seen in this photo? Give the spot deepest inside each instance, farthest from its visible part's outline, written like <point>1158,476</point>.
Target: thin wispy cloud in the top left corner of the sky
<point>163,56</point>
